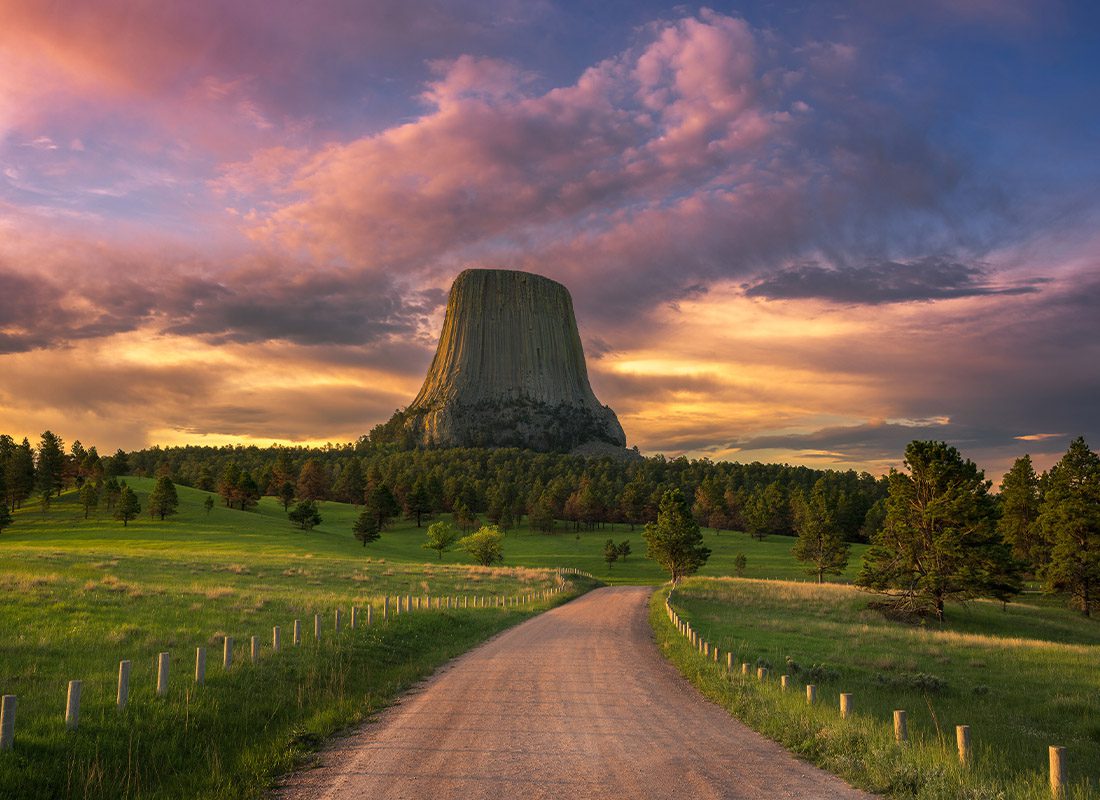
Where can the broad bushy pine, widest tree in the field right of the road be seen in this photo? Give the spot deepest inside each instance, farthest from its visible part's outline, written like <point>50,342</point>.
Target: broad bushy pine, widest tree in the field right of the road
<point>940,541</point>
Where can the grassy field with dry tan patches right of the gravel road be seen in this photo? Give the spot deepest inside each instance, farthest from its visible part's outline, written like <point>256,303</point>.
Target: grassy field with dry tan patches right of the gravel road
<point>1022,680</point>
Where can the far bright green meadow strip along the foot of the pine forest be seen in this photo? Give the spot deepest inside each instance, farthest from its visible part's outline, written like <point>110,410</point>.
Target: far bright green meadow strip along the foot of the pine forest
<point>252,536</point>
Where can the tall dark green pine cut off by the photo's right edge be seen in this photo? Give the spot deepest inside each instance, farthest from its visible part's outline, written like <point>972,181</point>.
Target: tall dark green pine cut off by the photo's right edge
<point>1070,519</point>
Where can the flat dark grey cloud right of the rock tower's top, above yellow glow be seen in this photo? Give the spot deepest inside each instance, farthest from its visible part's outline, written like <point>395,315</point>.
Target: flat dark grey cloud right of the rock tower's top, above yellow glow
<point>928,279</point>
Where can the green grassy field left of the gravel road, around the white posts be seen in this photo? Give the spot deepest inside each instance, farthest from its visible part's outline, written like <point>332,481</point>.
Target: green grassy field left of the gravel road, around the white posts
<point>81,596</point>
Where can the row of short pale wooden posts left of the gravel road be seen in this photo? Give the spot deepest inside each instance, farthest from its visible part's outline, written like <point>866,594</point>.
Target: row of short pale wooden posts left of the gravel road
<point>390,606</point>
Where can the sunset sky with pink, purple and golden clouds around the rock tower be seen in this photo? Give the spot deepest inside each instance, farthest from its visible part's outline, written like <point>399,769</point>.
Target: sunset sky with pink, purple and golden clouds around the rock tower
<point>794,232</point>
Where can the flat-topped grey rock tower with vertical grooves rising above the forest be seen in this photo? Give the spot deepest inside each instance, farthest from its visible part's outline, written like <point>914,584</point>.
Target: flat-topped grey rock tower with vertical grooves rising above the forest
<point>510,370</point>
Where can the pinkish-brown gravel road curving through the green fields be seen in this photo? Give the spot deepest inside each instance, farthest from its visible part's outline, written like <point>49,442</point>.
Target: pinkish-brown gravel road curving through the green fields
<point>575,704</point>
